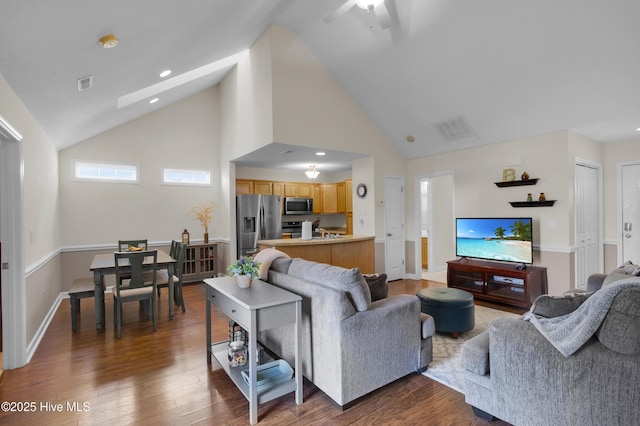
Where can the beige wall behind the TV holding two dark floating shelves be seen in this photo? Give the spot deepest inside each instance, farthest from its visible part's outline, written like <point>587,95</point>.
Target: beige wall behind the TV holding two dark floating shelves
<point>475,171</point>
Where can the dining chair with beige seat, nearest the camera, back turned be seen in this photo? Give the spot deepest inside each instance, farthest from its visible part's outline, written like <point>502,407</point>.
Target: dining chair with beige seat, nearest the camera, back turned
<point>131,284</point>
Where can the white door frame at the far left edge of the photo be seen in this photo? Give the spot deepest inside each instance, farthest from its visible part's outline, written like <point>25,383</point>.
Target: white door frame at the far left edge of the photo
<point>14,328</point>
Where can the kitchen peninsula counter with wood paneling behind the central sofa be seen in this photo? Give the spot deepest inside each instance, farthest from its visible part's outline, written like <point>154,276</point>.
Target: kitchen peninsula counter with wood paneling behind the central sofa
<point>348,251</point>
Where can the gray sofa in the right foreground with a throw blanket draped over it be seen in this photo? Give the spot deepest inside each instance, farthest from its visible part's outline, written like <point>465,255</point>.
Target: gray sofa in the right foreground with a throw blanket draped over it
<point>572,360</point>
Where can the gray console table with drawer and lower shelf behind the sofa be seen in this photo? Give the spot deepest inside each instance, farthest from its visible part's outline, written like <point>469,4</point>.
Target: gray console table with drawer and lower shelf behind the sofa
<point>259,307</point>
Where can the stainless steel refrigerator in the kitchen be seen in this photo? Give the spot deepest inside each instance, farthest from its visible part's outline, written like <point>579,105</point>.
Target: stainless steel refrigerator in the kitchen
<point>258,217</point>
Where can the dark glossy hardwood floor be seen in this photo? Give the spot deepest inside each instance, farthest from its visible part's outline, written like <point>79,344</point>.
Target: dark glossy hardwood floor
<point>163,378</point>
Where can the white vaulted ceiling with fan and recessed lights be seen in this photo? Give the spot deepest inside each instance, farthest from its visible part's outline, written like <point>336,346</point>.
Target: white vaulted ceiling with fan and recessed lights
<point>509,68</point>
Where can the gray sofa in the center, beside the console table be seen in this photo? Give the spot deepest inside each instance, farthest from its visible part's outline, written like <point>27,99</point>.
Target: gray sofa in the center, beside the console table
<point>350,345</point>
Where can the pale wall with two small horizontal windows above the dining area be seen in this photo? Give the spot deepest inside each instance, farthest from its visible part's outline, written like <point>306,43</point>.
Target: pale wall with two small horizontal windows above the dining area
<point>182,135</point>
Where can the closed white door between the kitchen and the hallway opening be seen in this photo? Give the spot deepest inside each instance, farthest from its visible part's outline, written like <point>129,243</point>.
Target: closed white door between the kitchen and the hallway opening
<point>394,227</point>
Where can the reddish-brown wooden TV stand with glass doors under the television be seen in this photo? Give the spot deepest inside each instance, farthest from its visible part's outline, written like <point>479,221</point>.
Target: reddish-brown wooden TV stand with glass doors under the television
<point>498,282</point>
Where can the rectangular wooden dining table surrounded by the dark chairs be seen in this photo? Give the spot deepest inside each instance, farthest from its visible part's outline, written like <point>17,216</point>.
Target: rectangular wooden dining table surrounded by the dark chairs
<point>104,264</point>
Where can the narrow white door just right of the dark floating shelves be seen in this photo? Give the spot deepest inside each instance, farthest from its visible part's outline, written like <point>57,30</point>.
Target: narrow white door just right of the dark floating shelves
<point>587,220</point>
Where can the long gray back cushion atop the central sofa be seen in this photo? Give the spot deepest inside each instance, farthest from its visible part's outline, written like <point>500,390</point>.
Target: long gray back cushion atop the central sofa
<point>348,280</point>
